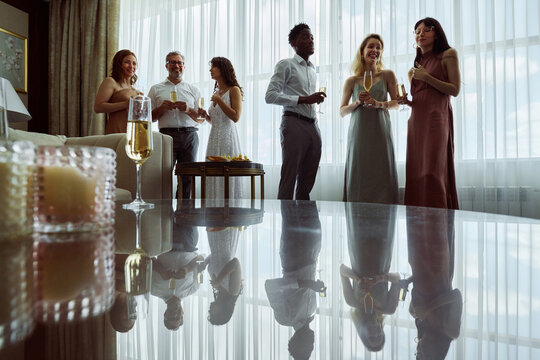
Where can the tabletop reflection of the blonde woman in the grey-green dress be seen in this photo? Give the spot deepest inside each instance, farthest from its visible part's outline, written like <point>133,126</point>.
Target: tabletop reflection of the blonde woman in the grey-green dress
<point>365,283</point>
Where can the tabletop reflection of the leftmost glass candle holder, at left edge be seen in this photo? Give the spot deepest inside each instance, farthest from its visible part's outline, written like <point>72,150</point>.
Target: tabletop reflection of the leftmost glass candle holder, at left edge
<point>16,290</point>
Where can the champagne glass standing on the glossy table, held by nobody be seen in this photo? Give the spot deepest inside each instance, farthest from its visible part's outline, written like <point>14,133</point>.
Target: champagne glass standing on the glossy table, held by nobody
<point>139,142</point>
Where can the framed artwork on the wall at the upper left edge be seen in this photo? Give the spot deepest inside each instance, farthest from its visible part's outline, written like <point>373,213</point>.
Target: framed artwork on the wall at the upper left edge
<point>14,59</point>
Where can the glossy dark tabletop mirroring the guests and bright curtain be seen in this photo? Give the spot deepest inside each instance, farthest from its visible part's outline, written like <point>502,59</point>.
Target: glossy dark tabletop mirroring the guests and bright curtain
<point>262,276</point>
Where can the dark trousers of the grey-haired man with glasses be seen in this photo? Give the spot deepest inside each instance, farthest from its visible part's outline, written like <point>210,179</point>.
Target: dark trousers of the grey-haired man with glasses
<point>185,146</point>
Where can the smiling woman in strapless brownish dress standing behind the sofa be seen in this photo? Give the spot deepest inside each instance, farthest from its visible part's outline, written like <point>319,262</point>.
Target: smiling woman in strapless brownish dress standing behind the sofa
<point>115,90</point>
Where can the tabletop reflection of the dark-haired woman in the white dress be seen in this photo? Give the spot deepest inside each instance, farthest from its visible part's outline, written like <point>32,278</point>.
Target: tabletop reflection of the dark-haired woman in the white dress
<point>225,273</point>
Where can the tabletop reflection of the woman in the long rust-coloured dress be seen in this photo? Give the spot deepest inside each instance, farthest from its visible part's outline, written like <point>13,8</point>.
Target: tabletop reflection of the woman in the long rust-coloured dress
<point>435,305</point>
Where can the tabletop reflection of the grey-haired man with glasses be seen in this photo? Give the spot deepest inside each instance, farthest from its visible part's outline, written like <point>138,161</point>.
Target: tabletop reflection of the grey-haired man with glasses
<point>174,275</point>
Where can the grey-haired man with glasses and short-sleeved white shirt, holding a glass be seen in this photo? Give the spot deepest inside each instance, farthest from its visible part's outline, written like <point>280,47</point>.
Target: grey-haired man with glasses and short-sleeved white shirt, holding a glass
<point>177,117</point>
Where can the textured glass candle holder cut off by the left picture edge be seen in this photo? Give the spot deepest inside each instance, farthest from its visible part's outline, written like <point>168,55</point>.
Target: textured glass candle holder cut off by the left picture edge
<point>17,166</point>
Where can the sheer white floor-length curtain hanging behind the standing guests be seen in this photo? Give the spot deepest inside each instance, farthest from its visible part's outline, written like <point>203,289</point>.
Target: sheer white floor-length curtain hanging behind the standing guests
<point>497,121</point>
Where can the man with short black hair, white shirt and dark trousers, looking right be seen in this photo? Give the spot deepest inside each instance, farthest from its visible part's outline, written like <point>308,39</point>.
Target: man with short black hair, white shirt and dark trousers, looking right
<point>293,86</point>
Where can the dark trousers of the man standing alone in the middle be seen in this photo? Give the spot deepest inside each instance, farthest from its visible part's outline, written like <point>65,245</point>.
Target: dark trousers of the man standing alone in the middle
<point>301,153</point>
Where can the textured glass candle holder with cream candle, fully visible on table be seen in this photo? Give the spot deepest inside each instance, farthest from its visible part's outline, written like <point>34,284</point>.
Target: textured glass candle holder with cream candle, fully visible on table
<point>74,188</point>
